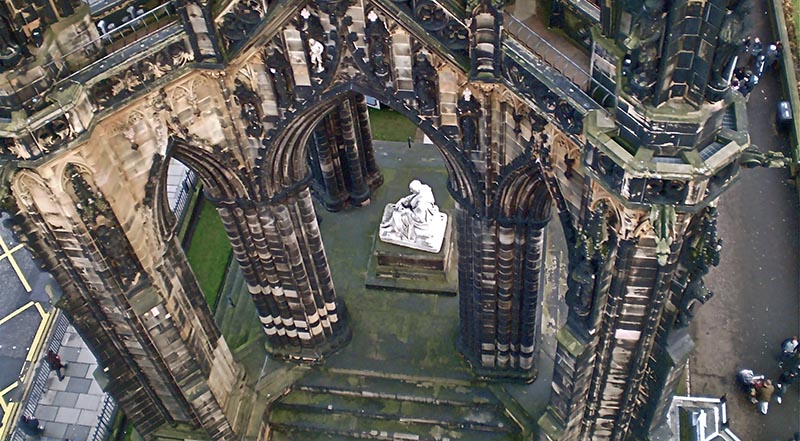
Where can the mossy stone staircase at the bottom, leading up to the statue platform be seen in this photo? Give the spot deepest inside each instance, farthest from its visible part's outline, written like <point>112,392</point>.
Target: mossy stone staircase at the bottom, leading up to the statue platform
<point>338,405</point>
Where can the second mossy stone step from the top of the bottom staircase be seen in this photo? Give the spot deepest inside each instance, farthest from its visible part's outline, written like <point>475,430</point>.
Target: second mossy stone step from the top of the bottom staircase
<point>474,417</point>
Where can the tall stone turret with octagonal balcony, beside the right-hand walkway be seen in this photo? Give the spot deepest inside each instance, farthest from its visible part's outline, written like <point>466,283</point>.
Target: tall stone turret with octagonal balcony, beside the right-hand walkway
<point>657,165</point>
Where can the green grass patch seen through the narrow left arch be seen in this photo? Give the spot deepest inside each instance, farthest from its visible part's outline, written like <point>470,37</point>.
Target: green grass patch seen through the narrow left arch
<point>209,251</point>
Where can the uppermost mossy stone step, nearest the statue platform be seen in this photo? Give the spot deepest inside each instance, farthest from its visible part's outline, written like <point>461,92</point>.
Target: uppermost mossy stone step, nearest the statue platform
<point>435,391</point>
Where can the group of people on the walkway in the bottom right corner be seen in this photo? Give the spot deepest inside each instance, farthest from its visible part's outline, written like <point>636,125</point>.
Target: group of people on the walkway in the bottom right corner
<point>761,389</point>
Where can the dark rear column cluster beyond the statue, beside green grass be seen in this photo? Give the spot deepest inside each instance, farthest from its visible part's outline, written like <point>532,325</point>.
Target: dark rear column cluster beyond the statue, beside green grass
<point>343,157</point>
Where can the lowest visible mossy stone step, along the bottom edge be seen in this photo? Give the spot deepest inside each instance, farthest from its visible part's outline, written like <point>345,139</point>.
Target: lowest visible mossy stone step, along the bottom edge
<point>293,420</point>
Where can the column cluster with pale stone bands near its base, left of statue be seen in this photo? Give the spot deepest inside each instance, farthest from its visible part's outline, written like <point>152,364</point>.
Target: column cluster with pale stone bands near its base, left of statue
<point>279,249</point>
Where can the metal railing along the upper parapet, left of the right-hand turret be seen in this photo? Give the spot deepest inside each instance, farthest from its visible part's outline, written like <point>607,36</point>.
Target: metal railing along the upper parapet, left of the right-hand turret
<point>556,59</point>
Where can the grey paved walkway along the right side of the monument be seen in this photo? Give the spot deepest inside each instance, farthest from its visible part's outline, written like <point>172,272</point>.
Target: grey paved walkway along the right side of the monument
<point>756,285</point>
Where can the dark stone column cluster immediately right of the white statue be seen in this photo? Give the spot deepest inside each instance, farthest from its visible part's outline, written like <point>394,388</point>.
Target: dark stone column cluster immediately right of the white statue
<point>499,282</point>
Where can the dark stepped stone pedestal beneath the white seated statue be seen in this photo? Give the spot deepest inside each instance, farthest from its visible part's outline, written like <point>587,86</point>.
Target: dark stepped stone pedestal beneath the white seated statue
<point>395,267</point>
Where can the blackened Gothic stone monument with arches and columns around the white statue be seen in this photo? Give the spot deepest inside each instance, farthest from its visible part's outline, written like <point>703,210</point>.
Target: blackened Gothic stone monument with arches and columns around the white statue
<point>265,102</point>
